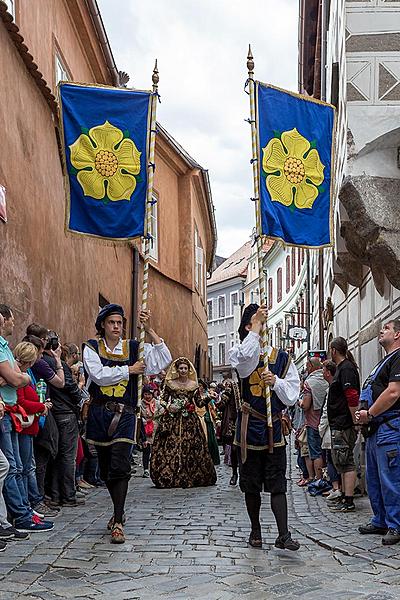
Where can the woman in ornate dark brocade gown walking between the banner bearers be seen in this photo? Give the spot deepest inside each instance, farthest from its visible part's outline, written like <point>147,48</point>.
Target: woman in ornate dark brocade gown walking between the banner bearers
<point>180,456</point>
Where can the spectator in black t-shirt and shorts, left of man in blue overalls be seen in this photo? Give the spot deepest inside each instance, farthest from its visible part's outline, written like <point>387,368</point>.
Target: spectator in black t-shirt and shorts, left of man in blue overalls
<point>343,400</point>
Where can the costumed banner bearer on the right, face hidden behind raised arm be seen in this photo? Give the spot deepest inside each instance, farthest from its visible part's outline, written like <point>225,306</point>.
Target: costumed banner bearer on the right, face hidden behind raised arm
<point>260,469</point>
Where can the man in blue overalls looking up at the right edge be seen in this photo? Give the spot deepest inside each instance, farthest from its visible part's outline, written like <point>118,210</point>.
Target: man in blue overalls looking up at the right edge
<point>381,415</point>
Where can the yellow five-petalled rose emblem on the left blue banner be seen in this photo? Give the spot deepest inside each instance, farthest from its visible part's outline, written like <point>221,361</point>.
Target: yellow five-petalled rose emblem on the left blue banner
<point>107,163</point>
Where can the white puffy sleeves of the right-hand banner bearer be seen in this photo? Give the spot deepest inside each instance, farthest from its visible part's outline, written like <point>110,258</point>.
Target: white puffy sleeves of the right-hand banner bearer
<point>244,357</point>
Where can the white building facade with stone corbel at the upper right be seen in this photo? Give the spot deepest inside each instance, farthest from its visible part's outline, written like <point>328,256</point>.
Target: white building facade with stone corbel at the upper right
<point>357,65</point>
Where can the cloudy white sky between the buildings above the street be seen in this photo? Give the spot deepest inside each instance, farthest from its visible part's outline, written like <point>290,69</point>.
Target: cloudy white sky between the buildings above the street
<point>201,47</point>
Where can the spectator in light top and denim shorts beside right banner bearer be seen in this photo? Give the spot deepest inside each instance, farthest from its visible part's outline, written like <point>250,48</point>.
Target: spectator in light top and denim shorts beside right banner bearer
<point>315,388</point>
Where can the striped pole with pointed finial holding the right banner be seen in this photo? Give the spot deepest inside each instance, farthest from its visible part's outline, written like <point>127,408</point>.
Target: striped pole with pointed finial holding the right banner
<point>261,276</point>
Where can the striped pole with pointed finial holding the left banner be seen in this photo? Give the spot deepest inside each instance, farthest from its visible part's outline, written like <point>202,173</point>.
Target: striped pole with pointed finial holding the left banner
<point>148,239</point>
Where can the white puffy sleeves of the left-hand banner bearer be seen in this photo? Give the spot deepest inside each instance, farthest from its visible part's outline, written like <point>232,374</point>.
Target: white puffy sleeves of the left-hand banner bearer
<point>156,356</point>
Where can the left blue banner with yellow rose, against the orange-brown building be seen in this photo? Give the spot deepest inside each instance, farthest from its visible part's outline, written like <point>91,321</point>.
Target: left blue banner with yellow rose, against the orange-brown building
<point>105,137</point>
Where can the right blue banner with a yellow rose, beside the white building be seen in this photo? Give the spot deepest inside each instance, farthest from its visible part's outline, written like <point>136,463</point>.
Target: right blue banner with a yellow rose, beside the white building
<point>295,137</point>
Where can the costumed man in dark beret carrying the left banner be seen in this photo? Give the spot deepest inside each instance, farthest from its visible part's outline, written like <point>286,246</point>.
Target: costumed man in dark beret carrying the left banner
<point>112,366</point>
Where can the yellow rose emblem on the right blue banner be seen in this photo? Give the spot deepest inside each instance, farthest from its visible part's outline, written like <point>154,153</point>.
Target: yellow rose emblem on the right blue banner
<point>294,170</point>
